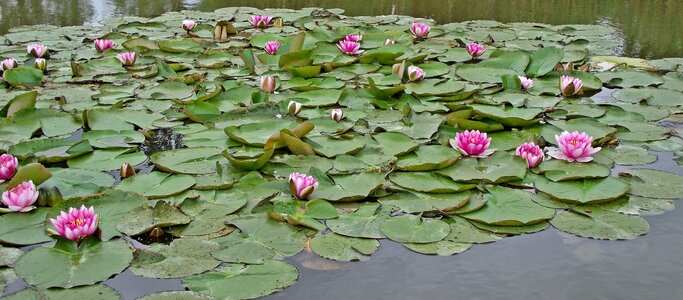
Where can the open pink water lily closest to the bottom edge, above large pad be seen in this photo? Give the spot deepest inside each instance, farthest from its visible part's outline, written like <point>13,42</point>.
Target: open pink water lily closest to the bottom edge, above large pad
<point>77,224</point>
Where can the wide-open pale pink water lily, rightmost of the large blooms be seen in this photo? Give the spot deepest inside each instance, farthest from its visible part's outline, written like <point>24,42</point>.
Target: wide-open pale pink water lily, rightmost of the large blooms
<point>574,146</point>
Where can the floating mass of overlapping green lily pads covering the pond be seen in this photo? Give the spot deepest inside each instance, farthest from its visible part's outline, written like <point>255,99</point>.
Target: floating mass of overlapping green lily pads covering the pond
<point>213,147</point>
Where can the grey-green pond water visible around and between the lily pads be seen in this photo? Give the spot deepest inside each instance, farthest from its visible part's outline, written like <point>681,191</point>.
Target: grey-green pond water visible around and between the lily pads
<point>547,265</point>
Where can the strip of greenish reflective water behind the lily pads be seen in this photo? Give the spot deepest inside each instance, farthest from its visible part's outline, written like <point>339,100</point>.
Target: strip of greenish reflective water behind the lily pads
<point>652,28</point>
